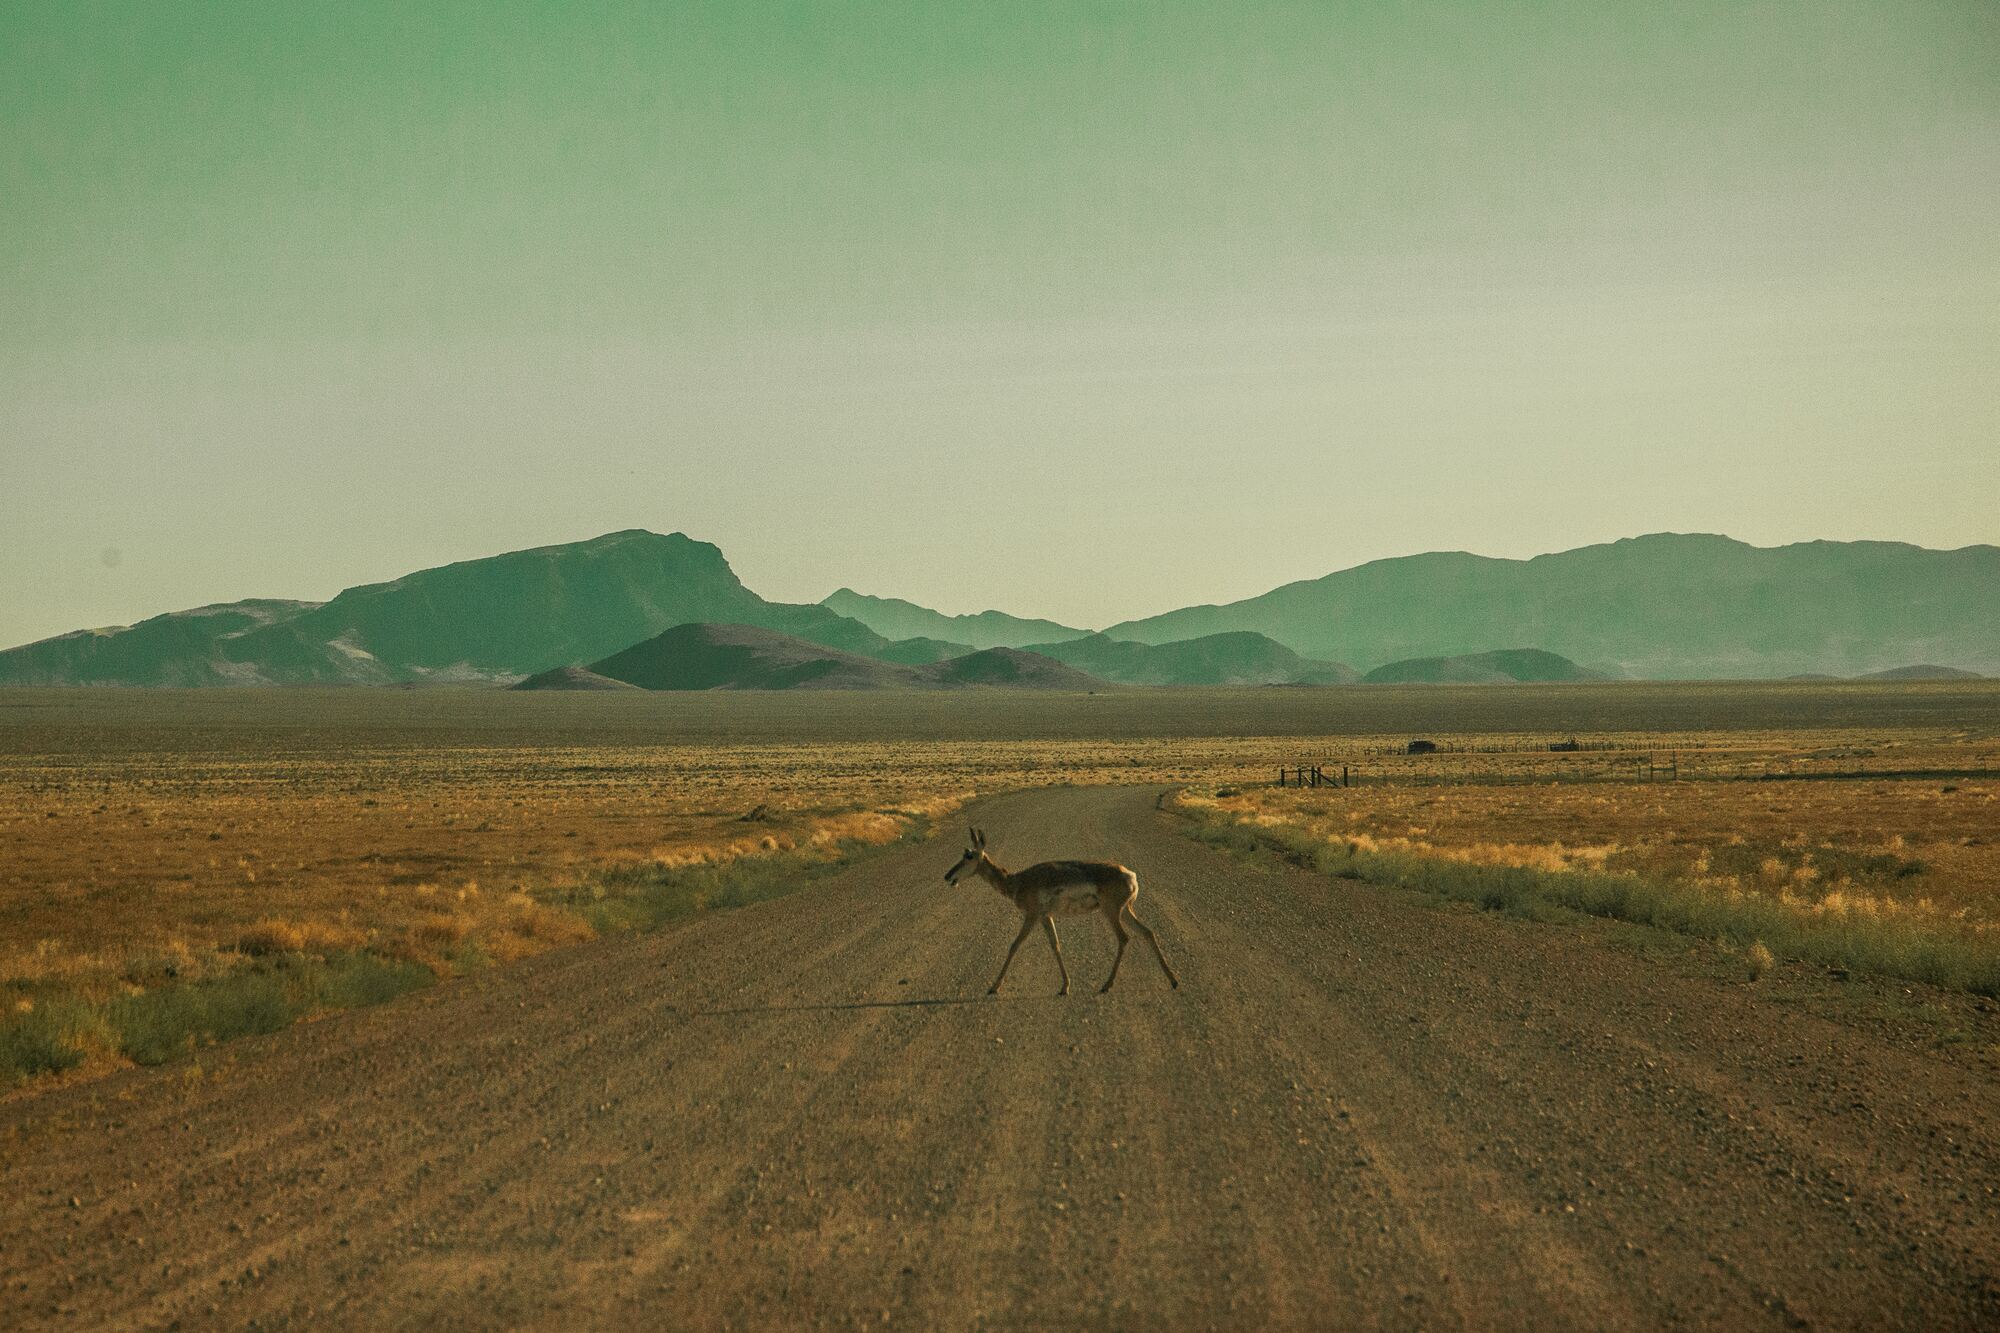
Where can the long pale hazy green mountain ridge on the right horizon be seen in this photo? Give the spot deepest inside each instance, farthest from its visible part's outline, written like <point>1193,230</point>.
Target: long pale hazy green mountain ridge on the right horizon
<point>1649,607</point>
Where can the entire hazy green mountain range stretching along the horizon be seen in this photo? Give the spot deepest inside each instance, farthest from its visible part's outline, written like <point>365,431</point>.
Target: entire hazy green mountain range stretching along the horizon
<point>1651,607</point>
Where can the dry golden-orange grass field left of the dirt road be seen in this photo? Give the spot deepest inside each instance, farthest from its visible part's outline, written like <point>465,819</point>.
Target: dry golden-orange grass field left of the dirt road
<point>411,856</point>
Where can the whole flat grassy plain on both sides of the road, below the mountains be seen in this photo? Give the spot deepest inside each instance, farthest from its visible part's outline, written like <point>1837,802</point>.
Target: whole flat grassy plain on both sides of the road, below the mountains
<point>331,846</point>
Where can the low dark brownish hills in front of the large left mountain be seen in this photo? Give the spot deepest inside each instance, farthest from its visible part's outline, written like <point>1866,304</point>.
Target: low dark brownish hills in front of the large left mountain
<point>743,657</point>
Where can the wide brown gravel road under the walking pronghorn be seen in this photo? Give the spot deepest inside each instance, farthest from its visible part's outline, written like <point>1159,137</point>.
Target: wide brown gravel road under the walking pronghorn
<point>1355,1112</point>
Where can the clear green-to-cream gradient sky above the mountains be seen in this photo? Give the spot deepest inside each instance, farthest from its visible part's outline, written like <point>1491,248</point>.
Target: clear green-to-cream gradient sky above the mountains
<point>1071,309</point>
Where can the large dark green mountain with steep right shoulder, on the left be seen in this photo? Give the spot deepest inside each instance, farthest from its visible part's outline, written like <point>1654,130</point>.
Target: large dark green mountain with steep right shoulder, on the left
<point>493,619</point>
